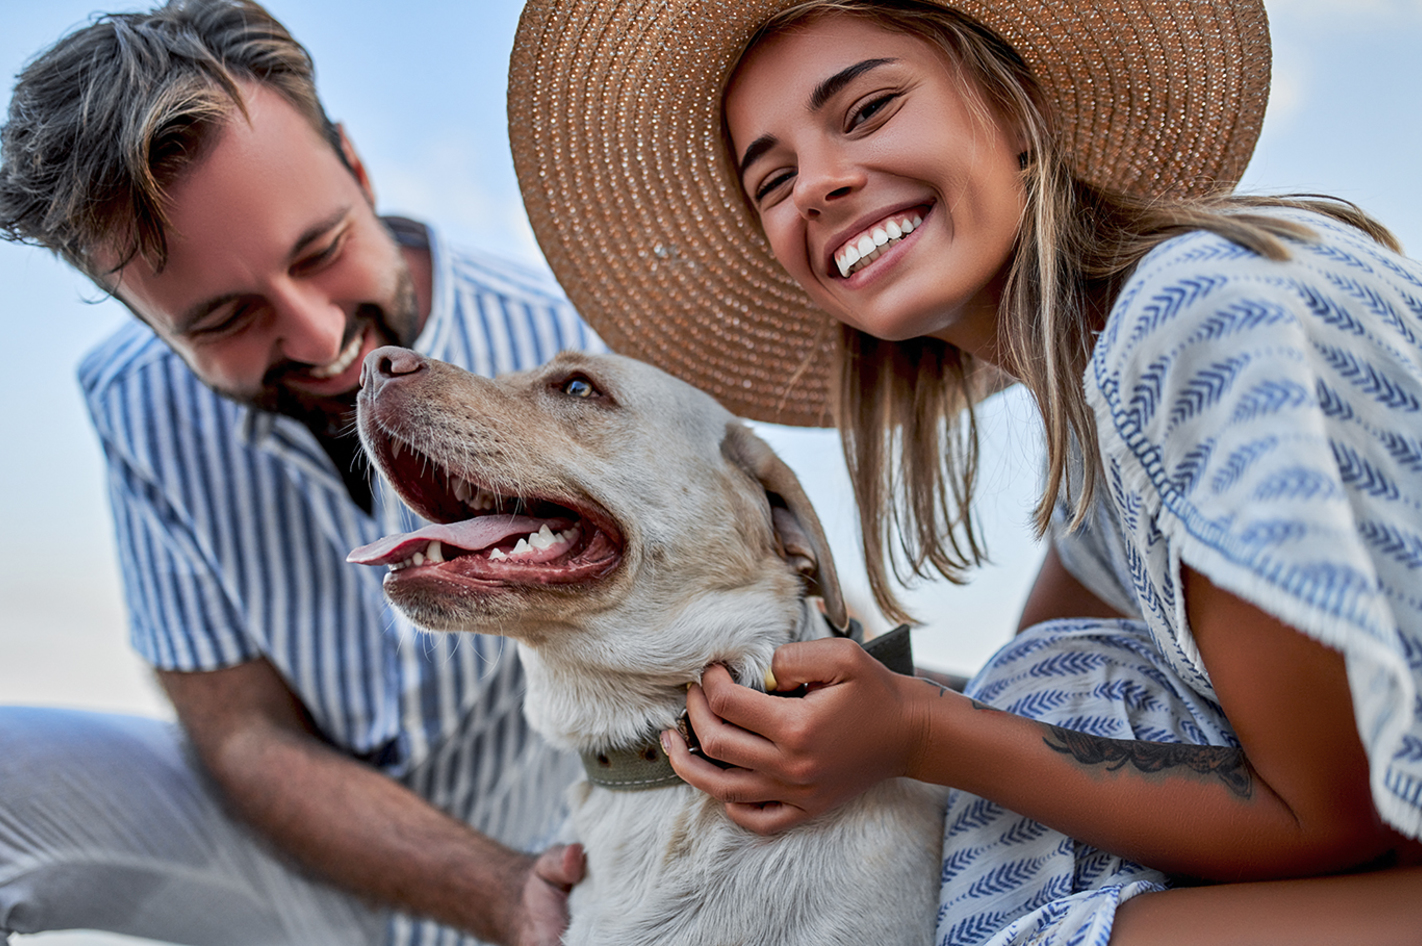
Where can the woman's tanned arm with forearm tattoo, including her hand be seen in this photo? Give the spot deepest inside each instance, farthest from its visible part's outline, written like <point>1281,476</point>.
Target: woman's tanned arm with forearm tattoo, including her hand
<point>1293,802</point>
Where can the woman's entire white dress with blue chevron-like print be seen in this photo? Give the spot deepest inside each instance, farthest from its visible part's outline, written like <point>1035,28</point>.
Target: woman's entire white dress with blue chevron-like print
<point>1262,423</point>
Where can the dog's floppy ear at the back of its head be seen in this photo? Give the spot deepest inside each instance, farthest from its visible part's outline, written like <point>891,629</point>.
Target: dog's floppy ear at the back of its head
<point>798,533</point>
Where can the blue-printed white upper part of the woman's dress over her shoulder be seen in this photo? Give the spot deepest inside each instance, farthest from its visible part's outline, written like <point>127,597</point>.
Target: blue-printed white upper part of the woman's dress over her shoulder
<point>1262,423</point>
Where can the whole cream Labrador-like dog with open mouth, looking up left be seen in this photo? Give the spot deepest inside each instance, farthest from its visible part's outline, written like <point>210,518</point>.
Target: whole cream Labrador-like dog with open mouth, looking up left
<point>628,531</point>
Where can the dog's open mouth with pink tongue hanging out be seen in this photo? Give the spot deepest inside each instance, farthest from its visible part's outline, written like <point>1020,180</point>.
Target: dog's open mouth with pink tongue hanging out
<point>484,536</point>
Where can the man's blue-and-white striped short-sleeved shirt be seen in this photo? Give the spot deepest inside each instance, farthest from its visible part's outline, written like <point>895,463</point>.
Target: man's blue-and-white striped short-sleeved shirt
<point>234,530</point>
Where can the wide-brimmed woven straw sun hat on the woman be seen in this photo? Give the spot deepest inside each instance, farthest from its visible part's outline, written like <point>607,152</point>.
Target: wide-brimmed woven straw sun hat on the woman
<point>615,116</point>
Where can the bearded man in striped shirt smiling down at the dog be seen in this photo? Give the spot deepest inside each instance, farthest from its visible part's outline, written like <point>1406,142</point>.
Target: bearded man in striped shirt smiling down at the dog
<point>342,777</point>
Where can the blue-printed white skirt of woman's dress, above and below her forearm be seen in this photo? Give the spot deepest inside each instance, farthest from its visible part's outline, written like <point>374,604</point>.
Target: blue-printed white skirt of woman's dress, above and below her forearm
<point>1010,881</point>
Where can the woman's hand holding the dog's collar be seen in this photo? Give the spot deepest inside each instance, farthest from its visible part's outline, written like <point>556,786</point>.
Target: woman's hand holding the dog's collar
<point>857,725</point>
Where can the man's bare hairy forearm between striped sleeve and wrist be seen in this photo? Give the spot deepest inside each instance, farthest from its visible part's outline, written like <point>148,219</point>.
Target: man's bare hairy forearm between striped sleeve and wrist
<point>339,817</point>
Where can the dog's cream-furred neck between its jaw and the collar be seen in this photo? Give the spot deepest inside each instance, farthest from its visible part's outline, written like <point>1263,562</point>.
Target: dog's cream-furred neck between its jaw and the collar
<point>581,703</point>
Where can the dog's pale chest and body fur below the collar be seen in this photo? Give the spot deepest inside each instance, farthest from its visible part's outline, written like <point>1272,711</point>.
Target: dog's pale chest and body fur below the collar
<point>668,867</point>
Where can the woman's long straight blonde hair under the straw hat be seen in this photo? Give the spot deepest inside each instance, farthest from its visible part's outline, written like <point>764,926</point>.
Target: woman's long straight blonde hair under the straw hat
<point>905,409</point>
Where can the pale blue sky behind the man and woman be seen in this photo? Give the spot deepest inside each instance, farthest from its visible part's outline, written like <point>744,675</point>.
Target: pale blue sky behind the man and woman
<point>420,90</point>
